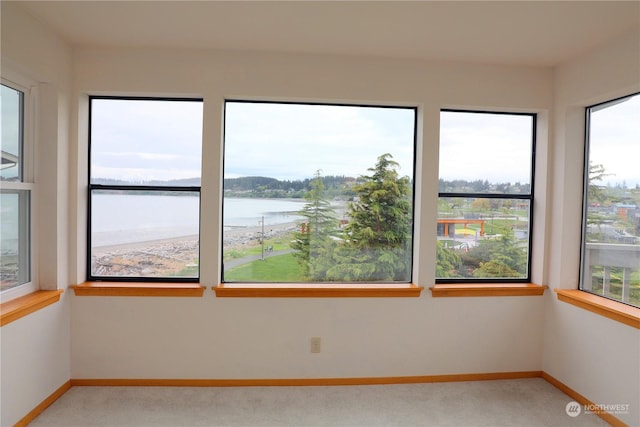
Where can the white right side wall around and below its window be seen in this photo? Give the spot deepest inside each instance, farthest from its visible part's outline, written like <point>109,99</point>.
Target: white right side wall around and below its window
<point>597,357</point>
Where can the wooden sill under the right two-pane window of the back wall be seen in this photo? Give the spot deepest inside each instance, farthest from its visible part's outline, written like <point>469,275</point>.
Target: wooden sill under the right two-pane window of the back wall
<point>487,290</point>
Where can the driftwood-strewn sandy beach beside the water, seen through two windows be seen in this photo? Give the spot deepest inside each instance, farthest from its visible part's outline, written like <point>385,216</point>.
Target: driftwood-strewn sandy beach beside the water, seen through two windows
<point>178,255</point>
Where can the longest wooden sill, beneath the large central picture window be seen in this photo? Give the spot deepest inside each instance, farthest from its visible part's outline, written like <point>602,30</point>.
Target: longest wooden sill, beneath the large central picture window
<point>317,290</point>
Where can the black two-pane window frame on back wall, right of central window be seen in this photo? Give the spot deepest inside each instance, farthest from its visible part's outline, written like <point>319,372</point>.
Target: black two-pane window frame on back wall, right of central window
<point>529,197</point>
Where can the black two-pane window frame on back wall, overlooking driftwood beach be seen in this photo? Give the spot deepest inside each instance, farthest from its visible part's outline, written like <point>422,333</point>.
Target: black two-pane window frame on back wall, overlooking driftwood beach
<point>147,188</point>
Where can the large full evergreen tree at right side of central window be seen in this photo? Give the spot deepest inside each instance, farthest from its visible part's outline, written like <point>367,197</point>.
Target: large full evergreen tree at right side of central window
<point>377,239</point>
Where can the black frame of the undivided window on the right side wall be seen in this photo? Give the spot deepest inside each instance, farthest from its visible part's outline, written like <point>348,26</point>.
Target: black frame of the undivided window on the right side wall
<point>585,200</point>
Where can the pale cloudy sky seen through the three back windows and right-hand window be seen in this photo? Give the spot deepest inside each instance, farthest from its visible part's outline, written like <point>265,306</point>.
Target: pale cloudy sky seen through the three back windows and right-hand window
<point>157,140</point>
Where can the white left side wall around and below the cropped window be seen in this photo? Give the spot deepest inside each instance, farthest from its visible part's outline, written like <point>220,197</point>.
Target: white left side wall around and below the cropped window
<point>35,353</point>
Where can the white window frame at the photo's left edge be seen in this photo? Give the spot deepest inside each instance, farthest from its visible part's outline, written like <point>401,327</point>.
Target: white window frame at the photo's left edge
<point>26,179</point>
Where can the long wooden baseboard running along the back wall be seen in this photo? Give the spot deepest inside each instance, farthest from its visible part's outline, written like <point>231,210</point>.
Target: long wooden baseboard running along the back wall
<point>298,382</point>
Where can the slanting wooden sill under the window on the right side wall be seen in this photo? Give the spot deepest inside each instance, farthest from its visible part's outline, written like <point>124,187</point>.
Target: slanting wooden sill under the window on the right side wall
<point>614,310</point>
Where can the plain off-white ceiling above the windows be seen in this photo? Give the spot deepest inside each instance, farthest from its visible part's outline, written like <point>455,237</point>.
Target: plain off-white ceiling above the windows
<point>537,33</point>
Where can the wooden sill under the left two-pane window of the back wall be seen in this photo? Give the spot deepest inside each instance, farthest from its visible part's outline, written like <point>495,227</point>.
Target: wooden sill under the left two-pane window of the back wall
<point>138,289</point>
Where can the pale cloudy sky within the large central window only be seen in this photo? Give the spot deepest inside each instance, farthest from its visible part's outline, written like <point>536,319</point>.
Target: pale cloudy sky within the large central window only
<point>293,141</point>
